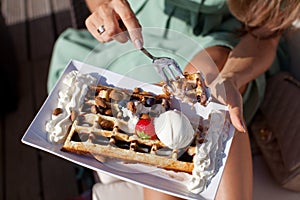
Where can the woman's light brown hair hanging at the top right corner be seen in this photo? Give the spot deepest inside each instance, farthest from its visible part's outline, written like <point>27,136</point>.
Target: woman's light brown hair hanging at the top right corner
<point>272,15</point>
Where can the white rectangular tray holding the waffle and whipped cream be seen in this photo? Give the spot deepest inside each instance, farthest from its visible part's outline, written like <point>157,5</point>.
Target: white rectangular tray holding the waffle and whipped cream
<point>36,136</point>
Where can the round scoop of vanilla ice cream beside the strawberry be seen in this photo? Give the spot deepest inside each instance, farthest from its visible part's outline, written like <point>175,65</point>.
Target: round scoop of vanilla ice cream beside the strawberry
<point>174,129</point>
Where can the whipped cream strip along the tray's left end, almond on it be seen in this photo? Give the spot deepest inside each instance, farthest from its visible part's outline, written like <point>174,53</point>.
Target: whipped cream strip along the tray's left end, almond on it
<point>70,98</point>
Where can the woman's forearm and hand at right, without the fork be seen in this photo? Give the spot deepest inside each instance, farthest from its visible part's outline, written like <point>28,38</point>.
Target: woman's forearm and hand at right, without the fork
<point>250,58</point>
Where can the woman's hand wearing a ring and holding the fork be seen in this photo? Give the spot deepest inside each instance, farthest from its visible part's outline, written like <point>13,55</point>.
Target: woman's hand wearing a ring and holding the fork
<point>115,18</point>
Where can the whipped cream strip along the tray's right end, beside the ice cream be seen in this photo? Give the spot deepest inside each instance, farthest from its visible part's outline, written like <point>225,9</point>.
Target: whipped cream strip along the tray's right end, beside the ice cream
<point>208,158</point>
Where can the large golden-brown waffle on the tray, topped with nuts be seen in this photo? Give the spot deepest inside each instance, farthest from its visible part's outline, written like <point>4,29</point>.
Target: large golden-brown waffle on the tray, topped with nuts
<point>100,129</point>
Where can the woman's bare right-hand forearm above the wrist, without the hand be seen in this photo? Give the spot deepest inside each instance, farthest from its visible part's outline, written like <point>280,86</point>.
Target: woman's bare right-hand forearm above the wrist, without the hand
<point>250,58</point>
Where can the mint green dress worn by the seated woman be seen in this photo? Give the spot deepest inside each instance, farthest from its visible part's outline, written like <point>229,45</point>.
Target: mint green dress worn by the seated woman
<point>174,28</point>
